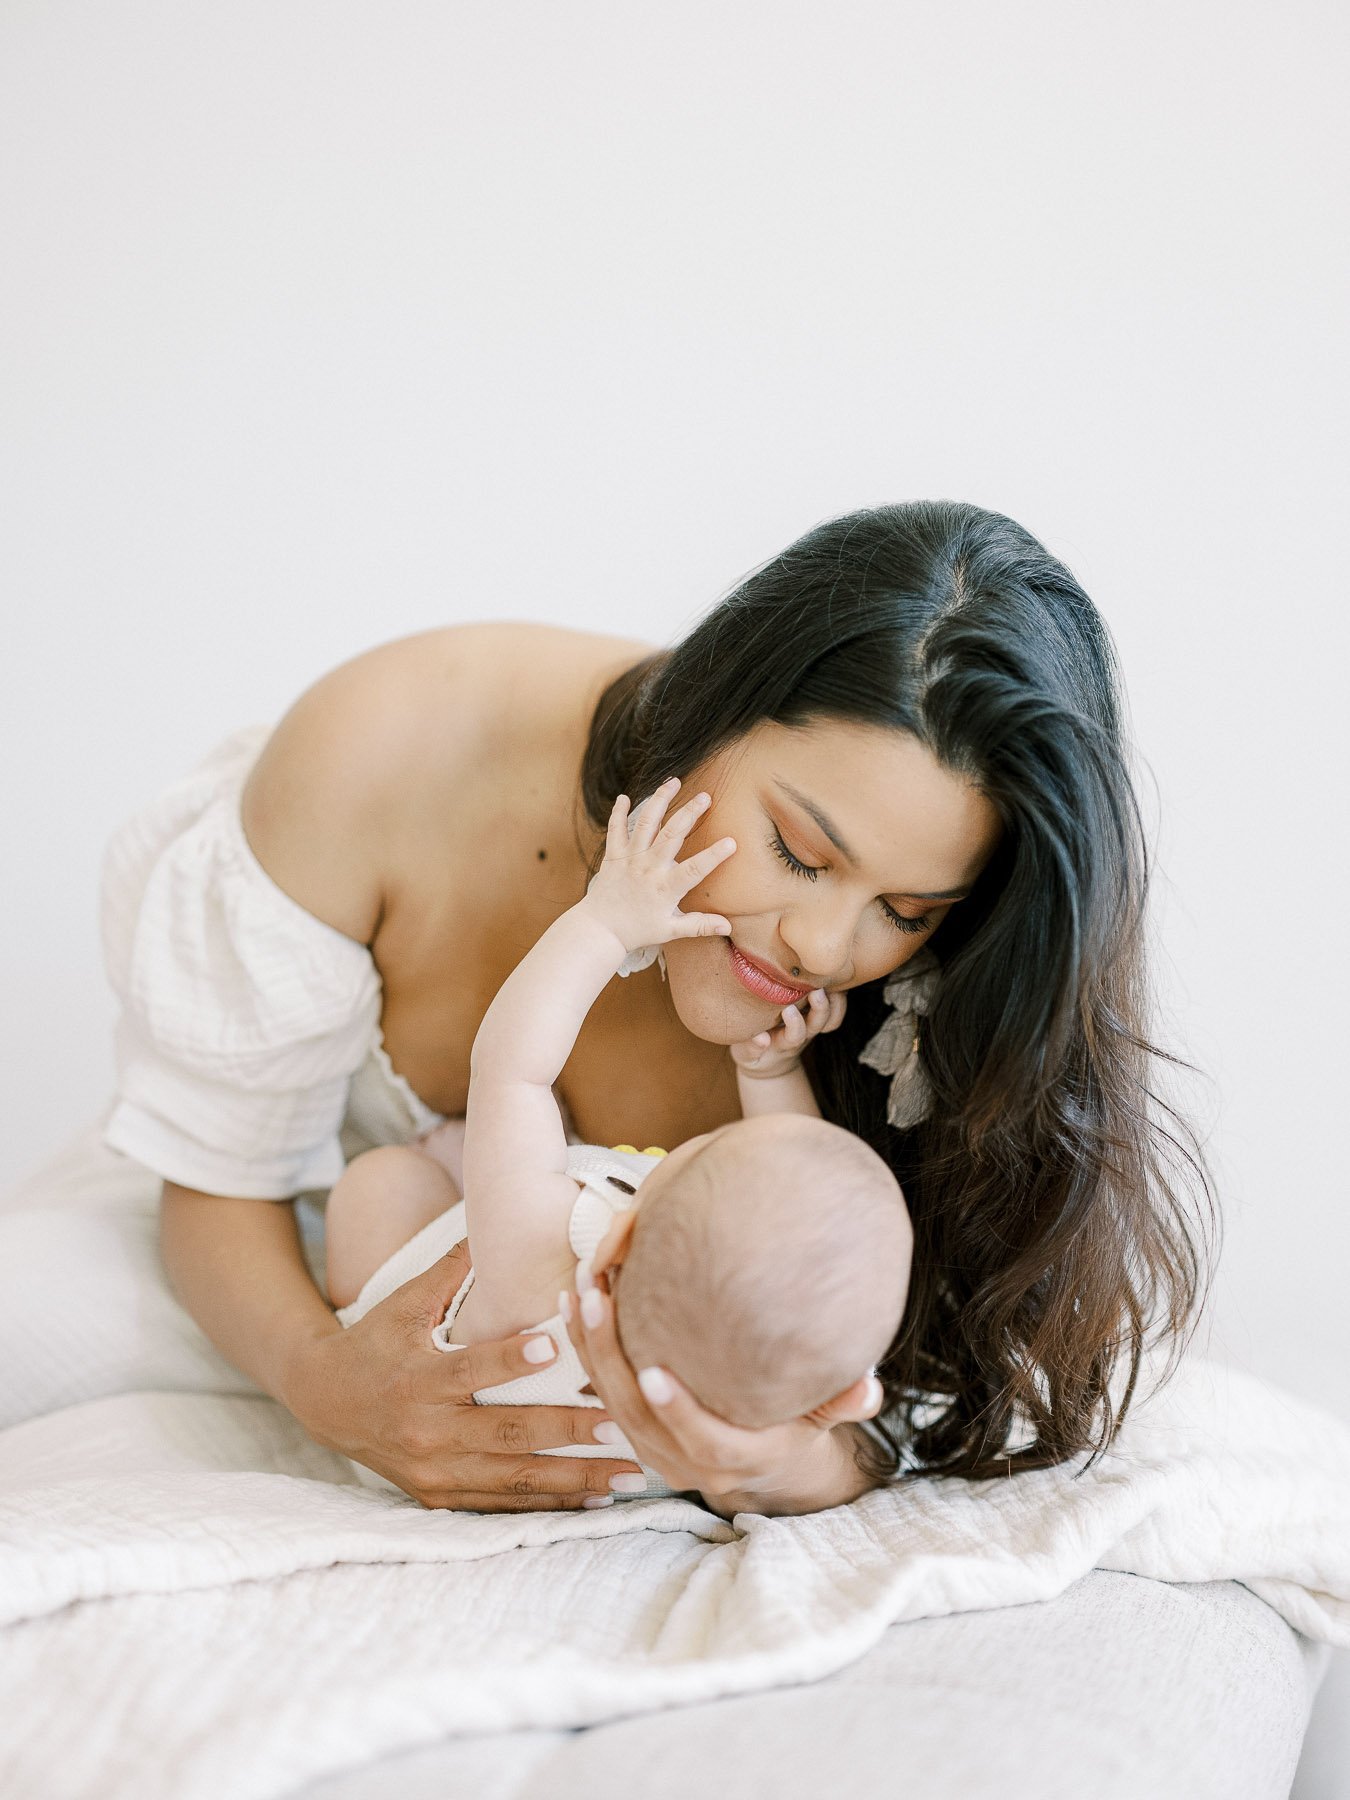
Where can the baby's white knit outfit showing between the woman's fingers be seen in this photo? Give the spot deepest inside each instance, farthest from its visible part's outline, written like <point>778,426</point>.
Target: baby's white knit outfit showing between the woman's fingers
<point>561,1381</point>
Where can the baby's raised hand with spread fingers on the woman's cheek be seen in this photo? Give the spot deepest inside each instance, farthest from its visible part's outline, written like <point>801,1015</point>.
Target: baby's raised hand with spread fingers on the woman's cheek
<point>640,885</point>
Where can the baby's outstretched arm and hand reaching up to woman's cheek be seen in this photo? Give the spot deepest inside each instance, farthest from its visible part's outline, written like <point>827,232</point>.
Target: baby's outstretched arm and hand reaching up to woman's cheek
<point>517,1192</point>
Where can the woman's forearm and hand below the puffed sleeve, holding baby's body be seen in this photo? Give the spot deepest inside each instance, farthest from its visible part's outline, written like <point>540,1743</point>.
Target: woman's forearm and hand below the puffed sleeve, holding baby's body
<point>379,1392</point>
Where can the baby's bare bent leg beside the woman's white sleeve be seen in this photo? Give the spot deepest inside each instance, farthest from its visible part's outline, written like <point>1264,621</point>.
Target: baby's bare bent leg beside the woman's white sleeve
<point>382,1200</point>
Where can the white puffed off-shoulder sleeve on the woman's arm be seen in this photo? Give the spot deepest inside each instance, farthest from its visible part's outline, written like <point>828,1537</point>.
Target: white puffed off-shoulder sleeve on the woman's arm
<point>242,1016</point>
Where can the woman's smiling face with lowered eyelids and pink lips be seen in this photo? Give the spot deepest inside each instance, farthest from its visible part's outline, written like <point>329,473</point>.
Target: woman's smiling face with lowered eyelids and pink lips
<point>852,847</point>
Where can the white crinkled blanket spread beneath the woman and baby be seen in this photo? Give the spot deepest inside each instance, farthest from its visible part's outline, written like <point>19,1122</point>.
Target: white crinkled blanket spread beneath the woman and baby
<point>184,1579</point>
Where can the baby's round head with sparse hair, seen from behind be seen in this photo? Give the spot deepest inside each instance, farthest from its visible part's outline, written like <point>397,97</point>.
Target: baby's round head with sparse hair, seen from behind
<point>766,1266</point>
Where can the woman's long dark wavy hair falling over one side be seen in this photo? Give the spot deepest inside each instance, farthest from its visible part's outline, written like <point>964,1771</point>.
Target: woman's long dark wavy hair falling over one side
<point>1052,1187</point>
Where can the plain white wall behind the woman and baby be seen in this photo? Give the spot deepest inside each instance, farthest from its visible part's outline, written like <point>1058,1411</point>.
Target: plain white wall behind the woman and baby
<point>327,323</point>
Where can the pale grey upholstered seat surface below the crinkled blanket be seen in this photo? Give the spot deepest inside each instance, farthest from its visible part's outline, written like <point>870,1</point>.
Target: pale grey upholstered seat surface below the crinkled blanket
<point>1119,1689</point>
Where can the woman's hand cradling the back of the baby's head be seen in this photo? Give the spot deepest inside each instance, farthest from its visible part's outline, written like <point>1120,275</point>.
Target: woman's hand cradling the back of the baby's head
<point>802,1466</point>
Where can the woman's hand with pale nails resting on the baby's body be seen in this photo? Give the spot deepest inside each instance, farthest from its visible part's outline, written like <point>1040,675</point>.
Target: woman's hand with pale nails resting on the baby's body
<point>386,1396</point>
